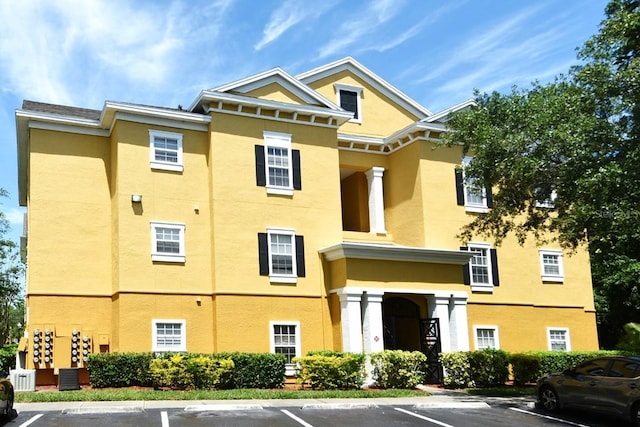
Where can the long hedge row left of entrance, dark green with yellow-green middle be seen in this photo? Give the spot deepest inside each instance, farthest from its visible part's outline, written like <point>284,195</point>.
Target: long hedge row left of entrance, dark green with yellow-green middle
<point>187,370</point>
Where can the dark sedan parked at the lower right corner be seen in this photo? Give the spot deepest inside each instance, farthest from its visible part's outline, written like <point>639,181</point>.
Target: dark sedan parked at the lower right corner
<point>605,384</point>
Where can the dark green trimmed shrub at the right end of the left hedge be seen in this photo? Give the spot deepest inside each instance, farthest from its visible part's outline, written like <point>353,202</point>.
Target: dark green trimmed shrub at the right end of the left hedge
<point>256,370</point>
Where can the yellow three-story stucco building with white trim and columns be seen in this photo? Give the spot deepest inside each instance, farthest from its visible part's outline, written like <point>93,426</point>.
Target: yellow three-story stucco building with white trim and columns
<point>276,213</point>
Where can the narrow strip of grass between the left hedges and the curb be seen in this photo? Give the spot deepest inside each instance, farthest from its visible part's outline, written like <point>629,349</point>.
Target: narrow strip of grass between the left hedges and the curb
<point>238,394</point>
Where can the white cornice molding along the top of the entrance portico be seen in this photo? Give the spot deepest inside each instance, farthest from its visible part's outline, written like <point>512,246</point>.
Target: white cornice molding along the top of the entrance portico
<point>387,252</point>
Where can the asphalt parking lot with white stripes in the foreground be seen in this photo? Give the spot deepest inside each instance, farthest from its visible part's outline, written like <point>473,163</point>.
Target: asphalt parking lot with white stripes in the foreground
<point>424,411</point>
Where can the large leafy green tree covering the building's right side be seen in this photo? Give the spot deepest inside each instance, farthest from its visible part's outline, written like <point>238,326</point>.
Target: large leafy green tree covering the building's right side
<point>575,141</point>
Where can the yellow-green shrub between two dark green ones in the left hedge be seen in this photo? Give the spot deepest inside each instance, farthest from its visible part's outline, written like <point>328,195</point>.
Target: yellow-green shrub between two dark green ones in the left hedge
<point>191,372</point>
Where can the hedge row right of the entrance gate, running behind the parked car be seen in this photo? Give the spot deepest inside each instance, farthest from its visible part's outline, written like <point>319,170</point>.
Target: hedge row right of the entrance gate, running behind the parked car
<point>490,368</point>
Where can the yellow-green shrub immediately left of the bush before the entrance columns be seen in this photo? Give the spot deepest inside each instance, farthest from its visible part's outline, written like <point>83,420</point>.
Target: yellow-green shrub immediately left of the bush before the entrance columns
<point>342,371</point>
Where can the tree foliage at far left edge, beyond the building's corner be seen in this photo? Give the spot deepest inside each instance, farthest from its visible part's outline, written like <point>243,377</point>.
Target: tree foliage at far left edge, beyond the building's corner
<point>11,270</point>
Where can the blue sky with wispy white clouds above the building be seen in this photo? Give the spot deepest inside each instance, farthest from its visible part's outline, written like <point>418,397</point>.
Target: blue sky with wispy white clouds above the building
<point>157,52</point>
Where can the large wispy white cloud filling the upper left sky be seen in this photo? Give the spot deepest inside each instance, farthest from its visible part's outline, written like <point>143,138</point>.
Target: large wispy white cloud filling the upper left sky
<point>62,52</point>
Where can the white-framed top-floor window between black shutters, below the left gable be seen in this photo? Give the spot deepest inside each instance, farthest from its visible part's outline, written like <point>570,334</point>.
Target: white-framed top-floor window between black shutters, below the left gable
<point>278,164</point>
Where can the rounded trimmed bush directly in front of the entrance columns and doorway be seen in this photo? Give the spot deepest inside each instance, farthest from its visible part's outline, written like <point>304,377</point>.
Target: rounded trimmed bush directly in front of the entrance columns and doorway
<point>398,369</point>
